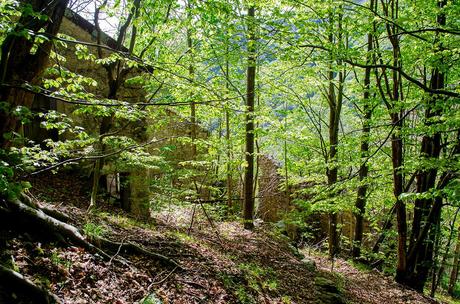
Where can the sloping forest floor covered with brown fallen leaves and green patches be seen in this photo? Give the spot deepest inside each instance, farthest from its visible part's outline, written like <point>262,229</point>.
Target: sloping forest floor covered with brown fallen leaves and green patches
<point>219,261</point>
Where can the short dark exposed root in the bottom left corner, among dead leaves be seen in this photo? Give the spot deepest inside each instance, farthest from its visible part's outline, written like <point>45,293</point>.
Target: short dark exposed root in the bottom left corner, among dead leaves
<point>18,284</point>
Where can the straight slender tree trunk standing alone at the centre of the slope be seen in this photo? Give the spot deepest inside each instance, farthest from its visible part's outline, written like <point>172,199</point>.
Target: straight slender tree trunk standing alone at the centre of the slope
<point>248,212</point>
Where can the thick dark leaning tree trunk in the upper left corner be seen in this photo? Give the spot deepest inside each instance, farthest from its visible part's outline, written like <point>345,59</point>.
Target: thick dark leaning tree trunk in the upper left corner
<point>18,65</point>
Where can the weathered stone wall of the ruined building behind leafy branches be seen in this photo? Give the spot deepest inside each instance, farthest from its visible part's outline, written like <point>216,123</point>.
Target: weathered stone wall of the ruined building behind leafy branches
<point>135,182</point>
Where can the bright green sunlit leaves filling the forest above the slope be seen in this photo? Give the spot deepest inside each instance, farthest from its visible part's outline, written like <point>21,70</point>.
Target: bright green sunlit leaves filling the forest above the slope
<point>186,62</point>
